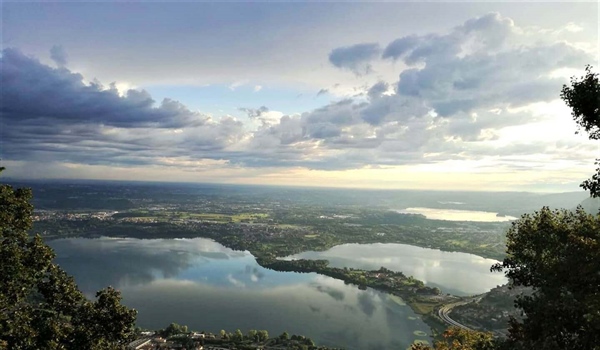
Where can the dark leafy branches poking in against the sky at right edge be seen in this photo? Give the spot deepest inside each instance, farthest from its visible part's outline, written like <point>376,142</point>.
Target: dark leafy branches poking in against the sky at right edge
<point>583,97</point>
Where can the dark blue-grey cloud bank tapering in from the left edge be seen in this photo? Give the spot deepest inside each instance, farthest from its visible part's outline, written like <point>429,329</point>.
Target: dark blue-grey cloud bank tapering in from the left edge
<point>36,92</point>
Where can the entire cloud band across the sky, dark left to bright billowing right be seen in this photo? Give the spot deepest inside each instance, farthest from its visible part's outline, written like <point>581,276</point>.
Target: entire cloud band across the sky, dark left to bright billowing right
<point>456,94</point>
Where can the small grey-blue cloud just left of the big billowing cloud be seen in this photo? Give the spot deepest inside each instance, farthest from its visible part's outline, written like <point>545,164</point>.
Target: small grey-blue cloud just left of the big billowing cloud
<point>355,58</point>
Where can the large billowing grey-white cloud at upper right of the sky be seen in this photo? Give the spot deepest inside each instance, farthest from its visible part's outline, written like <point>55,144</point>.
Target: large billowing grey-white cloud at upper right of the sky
<point>482,63</point>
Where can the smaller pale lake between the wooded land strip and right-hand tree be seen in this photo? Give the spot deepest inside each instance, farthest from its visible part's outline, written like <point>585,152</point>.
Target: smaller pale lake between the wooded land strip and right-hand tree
<point>452,272</point>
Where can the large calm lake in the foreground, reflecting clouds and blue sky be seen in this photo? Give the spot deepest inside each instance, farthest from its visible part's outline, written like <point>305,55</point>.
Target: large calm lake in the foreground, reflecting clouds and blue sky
<point>206,286</point>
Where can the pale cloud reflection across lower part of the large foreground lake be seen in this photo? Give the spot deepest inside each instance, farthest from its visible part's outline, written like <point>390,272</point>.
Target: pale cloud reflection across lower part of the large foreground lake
<point>308,308</point>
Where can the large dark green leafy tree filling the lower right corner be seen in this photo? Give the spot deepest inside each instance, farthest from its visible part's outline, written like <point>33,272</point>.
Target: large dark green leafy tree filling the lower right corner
<point>558,254</point>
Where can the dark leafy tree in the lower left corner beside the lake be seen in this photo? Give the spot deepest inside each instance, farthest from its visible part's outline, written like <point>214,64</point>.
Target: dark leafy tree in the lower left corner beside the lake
<point>40,305</point>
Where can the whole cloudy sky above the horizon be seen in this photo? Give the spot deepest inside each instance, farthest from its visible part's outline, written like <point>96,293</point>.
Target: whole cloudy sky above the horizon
<point>414,95</point>
